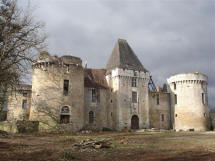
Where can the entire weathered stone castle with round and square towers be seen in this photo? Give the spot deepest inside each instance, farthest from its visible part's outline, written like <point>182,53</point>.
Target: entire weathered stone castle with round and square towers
<point>66,95</point>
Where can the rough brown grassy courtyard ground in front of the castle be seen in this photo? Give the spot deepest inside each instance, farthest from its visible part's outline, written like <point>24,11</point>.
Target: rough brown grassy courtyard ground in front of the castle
<point>119,146</point>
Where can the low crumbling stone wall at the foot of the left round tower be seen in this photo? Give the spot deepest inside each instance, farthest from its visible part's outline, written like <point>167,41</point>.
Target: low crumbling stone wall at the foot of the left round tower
<point>19,126</point>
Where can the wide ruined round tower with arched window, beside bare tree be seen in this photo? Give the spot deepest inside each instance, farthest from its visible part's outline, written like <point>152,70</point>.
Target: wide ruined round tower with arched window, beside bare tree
<point>58,92</point>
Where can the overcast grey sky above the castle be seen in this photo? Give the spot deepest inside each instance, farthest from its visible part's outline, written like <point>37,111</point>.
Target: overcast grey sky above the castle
<point>168,36</point>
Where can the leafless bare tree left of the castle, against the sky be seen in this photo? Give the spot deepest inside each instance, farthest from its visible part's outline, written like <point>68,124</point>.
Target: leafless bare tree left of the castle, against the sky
<point>20,37</point>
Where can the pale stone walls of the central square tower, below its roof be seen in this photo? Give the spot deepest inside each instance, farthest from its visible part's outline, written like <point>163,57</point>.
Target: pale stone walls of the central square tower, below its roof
<point>124,109</point>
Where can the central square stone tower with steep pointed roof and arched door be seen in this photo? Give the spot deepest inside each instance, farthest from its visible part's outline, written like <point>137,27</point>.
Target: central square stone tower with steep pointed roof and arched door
<point>128,80</point>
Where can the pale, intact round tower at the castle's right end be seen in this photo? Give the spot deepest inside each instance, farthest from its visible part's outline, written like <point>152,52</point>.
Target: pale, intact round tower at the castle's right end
<point>189,101</point>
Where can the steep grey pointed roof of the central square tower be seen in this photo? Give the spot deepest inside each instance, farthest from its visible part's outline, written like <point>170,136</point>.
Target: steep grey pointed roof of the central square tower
<point>123,57</point>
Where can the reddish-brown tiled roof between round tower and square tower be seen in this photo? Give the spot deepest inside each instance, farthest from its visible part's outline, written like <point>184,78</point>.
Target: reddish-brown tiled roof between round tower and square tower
<point>95,78</point>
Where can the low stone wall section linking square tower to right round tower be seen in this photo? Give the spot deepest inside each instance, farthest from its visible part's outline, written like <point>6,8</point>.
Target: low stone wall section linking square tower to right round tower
<point>159,104</point>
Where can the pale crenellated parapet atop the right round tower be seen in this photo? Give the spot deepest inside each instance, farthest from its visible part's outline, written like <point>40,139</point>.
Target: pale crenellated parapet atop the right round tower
<point>188,77</point>
